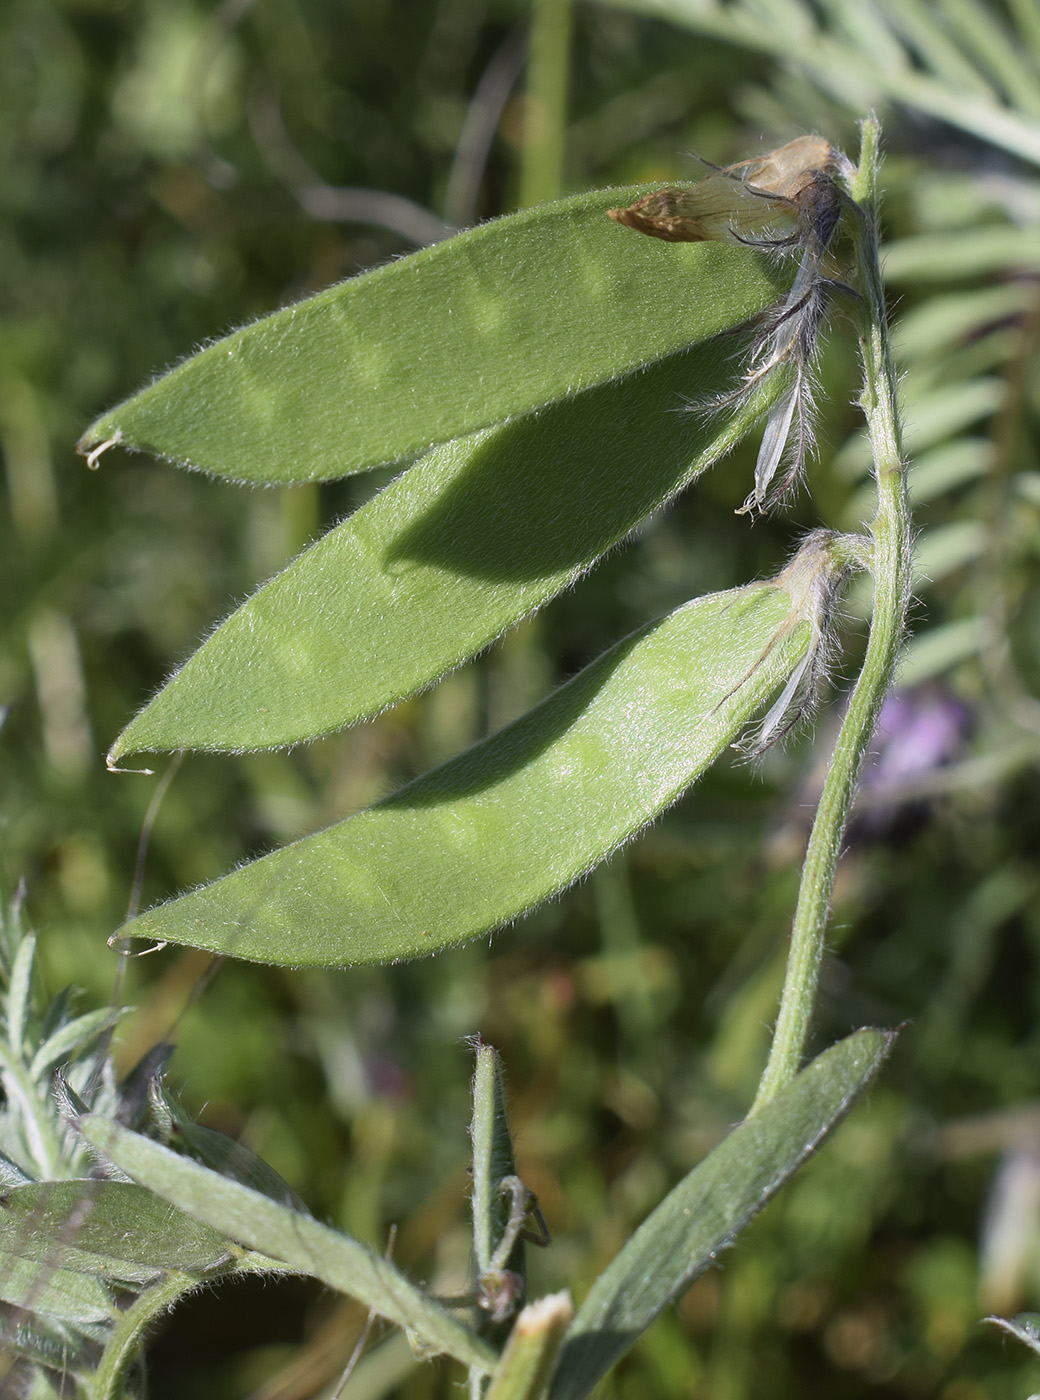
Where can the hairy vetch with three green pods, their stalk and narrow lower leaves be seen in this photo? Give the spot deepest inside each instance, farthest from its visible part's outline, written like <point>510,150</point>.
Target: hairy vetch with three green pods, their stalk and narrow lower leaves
<point>534,449</point>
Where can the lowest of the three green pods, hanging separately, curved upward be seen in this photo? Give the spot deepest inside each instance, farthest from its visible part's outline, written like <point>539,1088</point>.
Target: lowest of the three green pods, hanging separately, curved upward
<point>516,818</point>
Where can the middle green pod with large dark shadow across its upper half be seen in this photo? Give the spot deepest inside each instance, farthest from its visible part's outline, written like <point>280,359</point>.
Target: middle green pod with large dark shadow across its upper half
<point>471,540</point>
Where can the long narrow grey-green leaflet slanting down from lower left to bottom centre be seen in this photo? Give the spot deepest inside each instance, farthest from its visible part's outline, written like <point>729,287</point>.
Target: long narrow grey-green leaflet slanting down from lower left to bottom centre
<point>281,1233</point>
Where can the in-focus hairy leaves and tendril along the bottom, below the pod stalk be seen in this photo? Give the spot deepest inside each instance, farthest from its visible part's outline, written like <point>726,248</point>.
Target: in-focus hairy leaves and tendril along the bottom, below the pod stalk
<point>111,1216</point>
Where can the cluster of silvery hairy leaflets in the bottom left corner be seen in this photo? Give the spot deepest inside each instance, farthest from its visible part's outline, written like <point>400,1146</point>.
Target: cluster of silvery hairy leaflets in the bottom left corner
<point>89,1259</point>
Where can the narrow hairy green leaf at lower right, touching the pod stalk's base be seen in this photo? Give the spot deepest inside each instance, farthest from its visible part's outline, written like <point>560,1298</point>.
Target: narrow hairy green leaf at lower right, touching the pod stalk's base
<point>710,1207</point>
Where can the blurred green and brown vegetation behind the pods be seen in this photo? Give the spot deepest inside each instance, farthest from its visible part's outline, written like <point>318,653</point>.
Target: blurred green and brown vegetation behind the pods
<point>174,169</point>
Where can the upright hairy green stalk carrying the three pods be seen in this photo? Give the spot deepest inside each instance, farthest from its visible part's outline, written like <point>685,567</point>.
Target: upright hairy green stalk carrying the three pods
<point>891,569</point>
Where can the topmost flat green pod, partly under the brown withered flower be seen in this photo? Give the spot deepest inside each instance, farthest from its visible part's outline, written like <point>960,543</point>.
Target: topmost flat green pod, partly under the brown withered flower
<point>503,320</point>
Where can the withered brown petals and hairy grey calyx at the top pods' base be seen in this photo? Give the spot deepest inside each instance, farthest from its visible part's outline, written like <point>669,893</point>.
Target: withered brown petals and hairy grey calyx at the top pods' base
<point>786,199</point>
